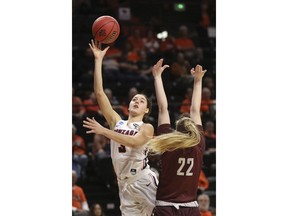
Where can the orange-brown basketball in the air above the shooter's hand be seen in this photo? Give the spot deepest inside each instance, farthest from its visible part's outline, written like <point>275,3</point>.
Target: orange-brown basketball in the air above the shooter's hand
<point>105,29</point>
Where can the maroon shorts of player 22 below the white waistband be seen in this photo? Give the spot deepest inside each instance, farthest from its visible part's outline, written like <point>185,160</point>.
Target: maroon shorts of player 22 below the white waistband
<point>172,211</point>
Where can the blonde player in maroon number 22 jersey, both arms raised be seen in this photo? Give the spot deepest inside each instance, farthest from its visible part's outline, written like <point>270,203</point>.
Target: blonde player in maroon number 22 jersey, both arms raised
<point>181,151</point>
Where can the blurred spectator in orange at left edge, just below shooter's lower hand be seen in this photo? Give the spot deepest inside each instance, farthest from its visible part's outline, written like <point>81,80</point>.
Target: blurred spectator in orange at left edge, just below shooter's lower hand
<point>79,152</point>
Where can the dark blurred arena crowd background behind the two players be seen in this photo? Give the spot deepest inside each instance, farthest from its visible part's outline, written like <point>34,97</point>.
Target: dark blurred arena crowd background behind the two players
<point>149,30</point>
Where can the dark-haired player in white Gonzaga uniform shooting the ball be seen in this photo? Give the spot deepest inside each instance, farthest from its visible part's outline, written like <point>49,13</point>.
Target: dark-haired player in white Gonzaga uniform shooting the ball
<point>129,138</point>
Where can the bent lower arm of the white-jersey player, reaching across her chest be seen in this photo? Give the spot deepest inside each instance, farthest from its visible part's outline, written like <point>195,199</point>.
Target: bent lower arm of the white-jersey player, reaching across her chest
<point>142,137</point>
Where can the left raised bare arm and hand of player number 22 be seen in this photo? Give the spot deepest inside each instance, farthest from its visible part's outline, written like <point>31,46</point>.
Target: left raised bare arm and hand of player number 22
<point>163,113</point>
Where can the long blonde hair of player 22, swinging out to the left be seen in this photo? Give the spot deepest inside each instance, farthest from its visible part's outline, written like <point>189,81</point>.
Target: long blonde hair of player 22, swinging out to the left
<point>186,135</point>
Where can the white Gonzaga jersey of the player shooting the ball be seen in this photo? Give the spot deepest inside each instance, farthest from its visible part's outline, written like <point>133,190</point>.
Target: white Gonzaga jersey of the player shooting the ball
<point>128,161</point>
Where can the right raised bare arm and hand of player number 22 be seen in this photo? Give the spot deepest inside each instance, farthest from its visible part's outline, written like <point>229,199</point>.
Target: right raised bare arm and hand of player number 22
<point>195,114</point>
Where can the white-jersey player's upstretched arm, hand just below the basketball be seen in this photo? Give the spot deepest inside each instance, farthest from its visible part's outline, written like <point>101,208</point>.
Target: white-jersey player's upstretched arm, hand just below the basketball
<point>110,115</point>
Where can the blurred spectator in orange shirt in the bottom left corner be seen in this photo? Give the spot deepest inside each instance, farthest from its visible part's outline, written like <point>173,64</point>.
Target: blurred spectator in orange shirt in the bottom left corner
<point>79,201</point>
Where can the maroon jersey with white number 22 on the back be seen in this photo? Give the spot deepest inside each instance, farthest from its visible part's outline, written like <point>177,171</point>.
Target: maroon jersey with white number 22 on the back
<point>179,171</point>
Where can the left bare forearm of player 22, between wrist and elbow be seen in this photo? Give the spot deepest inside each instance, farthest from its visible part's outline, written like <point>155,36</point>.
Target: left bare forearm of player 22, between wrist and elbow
<point>160,94</point>
